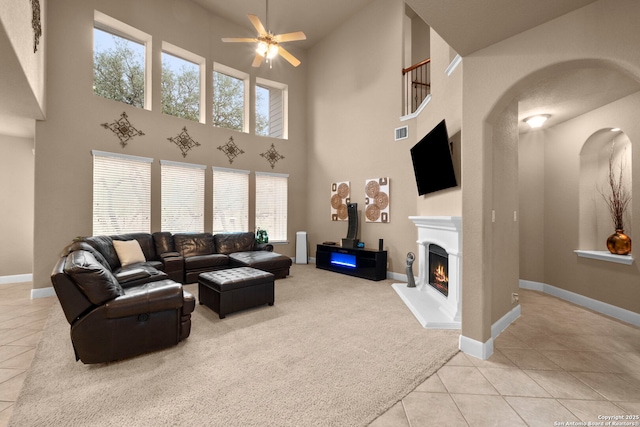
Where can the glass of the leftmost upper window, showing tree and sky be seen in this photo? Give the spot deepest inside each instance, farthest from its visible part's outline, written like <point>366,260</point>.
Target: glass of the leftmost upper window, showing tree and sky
<point>118,68</point>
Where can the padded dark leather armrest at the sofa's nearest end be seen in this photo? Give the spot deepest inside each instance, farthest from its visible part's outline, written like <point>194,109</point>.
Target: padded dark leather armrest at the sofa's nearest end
<point>147,298</point>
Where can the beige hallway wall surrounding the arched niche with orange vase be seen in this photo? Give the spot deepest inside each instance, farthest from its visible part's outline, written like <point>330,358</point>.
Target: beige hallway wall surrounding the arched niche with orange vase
<point>612,283</point>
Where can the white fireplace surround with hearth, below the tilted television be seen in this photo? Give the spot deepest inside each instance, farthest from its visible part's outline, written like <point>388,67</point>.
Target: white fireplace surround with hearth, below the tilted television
<point>439,241</point>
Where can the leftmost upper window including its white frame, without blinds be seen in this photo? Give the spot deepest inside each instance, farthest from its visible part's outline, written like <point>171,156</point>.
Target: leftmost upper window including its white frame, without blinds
<point>120,57</point>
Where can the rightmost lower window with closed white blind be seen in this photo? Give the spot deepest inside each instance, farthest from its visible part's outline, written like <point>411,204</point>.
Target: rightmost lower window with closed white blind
<point>271,204</point>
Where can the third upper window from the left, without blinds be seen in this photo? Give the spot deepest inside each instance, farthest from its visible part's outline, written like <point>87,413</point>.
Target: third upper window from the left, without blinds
<point>230,98</point>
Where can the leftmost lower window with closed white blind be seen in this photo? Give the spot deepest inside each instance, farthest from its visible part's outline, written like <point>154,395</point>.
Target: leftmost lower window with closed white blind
<point>121,193</point>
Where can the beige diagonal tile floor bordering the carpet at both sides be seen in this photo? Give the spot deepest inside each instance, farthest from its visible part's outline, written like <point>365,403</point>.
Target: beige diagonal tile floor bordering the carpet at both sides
<point>558,363</point>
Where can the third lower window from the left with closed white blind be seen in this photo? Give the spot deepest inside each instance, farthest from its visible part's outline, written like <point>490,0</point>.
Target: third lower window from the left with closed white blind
<point>230,200</point>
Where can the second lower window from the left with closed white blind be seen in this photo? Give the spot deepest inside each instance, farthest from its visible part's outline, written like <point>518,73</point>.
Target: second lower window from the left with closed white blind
<point>182,197</point>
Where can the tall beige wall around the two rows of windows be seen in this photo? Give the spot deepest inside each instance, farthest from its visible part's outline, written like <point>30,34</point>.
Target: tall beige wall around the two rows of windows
<point>63,177</point>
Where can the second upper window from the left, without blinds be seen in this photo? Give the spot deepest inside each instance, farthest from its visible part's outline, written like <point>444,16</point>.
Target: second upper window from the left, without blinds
<point>182,83</point>
